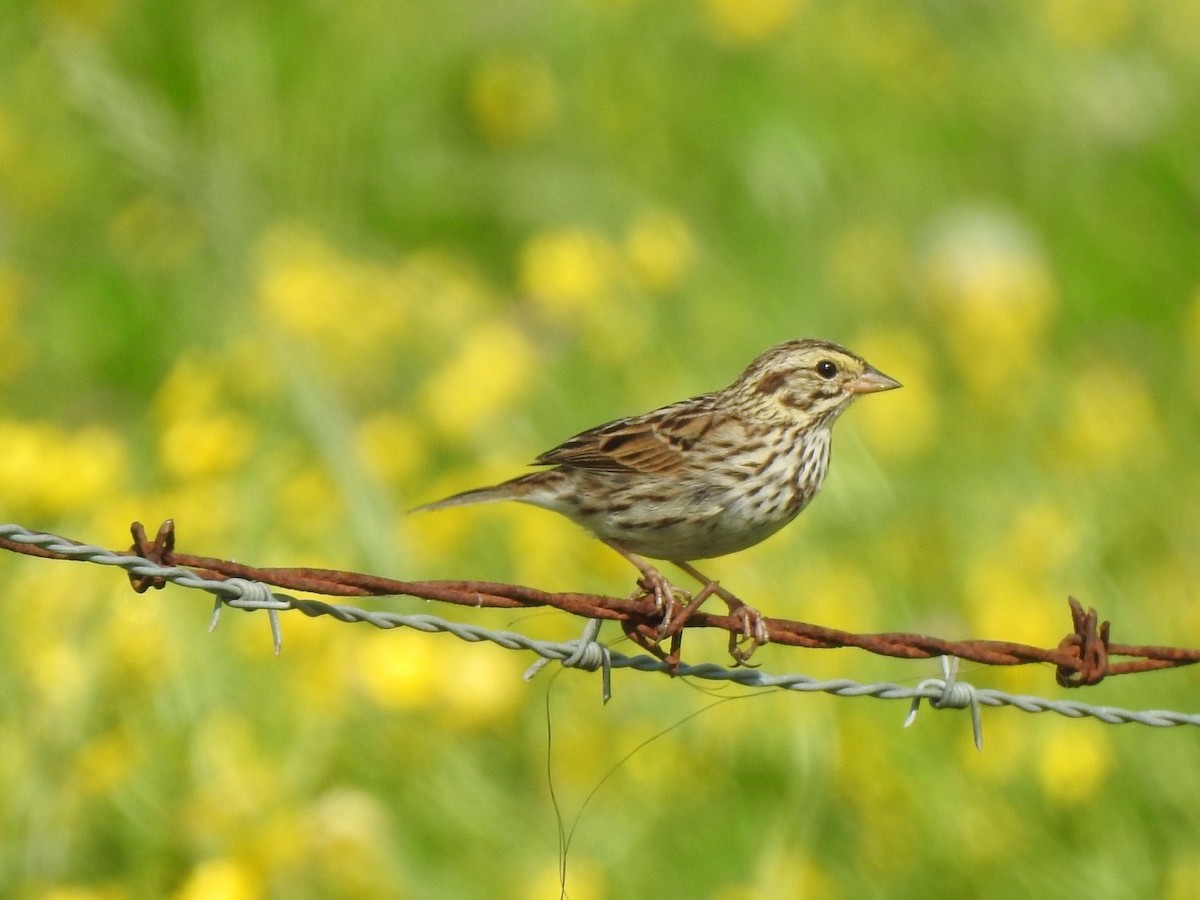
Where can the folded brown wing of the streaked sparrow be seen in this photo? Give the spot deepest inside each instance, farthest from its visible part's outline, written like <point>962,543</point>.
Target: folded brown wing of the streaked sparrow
<point>656,445</point>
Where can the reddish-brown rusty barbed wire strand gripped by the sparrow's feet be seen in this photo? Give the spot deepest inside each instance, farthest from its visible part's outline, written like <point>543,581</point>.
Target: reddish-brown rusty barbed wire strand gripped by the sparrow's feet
<point>1084,657</point>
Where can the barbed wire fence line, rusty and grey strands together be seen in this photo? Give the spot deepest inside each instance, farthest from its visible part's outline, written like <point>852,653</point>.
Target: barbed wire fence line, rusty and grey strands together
<point>1084,653</point>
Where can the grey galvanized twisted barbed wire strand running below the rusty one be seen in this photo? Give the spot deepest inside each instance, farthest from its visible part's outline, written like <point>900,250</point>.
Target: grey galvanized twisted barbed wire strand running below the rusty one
<point>589,653</point>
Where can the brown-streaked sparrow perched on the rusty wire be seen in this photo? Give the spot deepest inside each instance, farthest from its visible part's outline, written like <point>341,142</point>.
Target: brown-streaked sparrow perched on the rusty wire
<point>705,477</point>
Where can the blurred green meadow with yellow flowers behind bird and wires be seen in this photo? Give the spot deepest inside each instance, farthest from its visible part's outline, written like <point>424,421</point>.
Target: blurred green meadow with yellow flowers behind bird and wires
<point>284,271</point>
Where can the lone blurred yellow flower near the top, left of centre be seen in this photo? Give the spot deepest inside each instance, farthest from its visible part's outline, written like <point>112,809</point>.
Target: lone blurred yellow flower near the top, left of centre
<point>513,98</point>
